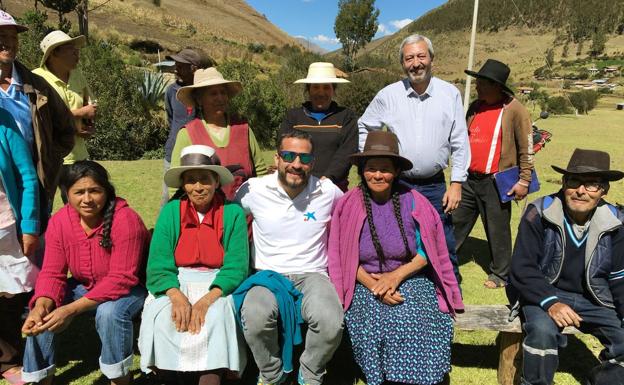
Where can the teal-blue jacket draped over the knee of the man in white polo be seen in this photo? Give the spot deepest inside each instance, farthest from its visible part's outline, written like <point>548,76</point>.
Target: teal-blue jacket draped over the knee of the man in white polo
<point>289,305</point>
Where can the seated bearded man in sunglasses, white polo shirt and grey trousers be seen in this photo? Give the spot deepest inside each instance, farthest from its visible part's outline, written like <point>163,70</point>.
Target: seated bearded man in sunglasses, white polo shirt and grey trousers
<point>291,212</point>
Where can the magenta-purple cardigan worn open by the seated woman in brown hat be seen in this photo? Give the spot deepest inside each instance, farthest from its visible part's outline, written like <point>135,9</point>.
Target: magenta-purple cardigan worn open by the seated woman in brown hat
<point>343,249</point>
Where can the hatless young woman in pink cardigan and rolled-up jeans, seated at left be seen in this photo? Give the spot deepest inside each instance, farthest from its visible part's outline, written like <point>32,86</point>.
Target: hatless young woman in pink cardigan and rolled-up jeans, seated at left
<point>102,242</point>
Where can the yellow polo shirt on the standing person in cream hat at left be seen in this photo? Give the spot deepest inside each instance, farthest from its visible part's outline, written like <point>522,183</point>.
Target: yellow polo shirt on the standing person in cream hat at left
<point>74,94</point>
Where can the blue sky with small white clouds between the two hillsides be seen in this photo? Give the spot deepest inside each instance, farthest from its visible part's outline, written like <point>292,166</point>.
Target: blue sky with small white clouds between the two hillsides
<point>314,19</point>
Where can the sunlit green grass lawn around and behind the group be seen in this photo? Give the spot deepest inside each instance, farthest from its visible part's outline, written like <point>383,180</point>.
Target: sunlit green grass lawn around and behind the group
<point>475,355</point>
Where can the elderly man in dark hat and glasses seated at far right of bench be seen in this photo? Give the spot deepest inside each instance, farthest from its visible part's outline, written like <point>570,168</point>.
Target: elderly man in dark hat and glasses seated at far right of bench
<point>568,266</point>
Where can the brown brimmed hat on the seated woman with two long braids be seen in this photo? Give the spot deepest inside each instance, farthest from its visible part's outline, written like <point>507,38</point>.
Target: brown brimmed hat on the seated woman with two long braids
<point>381,144</point>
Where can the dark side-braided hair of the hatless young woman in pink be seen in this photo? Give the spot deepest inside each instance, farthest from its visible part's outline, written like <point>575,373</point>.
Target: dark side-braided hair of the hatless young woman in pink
<point>95,171</point>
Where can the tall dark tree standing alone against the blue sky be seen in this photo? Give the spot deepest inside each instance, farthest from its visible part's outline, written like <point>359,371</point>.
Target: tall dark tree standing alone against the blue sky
<point>355,25</point>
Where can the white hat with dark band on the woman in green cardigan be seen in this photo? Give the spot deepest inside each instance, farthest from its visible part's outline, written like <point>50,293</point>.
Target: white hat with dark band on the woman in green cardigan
<point>197,157</point>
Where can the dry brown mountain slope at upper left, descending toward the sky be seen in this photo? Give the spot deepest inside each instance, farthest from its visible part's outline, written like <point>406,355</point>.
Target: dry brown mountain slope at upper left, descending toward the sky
<point>222,28</point>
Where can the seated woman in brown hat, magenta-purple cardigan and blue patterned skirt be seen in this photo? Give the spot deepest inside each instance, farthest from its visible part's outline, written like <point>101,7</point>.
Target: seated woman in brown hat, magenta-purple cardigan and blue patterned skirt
<point>389,263</point>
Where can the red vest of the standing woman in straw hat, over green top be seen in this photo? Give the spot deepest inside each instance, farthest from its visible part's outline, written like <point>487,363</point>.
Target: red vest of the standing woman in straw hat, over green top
<point>235,156</point>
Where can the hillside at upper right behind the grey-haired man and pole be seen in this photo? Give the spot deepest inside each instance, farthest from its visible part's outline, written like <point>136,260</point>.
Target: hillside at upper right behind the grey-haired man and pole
<point>517,36</point>
